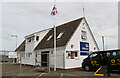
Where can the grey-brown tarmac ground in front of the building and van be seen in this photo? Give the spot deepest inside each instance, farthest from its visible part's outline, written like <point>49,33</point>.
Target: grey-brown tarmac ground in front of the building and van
<point>10,70</point>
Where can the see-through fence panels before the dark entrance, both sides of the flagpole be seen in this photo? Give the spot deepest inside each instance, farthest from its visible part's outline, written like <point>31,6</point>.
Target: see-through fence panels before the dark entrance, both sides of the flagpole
<point>47,59</point>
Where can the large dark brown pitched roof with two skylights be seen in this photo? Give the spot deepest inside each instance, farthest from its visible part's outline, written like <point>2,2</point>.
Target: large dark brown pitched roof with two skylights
<point>68,29</point>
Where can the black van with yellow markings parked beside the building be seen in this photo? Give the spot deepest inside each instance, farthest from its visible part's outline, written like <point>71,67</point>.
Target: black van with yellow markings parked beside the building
<point>96,59</point>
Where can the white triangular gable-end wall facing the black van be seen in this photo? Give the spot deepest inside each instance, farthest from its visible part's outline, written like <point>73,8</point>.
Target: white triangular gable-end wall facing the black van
<point>75,40</point>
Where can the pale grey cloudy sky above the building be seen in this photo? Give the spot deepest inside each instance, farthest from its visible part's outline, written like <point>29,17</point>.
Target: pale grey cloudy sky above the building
<point>24,18</point>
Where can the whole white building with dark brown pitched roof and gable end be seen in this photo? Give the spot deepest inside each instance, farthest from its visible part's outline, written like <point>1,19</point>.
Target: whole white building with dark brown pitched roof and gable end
<point>75,42</point>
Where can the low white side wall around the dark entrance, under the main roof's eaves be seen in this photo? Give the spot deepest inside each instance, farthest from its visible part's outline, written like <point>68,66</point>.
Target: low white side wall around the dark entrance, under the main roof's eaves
<point>59,57</point>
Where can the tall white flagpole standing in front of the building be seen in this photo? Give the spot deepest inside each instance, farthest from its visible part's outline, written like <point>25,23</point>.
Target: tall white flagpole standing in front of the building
<point>55,40</point>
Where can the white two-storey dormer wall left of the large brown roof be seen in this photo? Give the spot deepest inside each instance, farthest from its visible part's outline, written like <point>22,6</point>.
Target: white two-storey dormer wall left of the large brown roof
<point>29,47</point>
